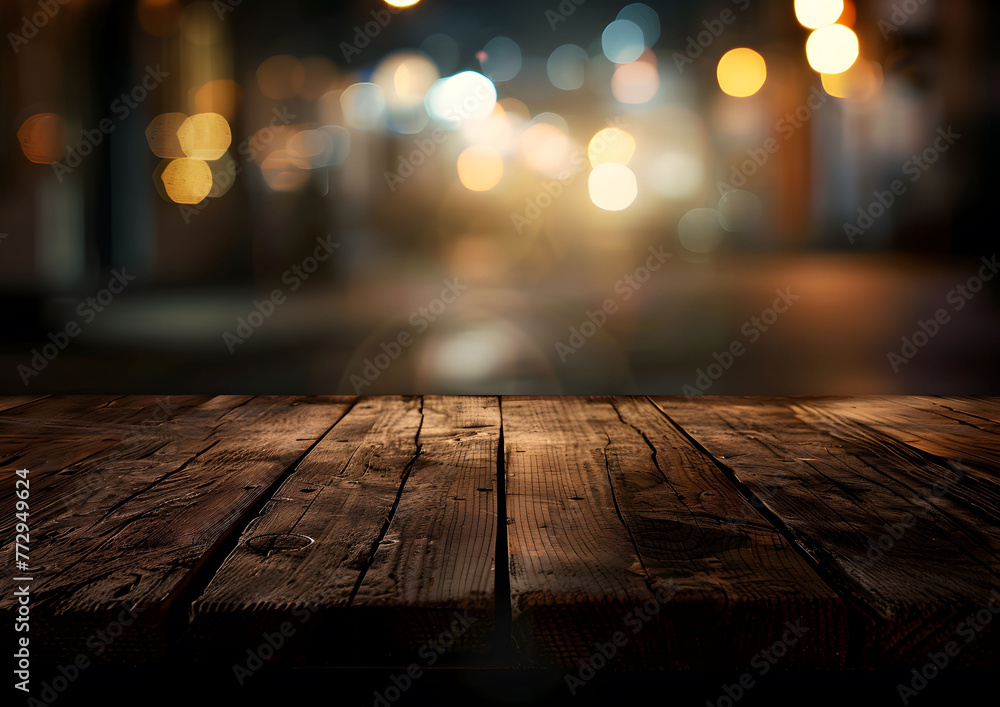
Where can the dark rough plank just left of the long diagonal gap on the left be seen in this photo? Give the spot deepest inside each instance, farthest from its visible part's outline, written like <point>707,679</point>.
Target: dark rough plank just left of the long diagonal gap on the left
<point>144,544</point>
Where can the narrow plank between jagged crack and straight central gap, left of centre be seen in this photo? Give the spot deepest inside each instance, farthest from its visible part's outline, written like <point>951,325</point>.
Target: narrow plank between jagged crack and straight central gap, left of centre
<point>438,554</point>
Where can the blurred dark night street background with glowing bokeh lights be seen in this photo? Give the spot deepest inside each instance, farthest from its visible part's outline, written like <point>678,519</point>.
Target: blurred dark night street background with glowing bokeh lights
<point>318,197</point>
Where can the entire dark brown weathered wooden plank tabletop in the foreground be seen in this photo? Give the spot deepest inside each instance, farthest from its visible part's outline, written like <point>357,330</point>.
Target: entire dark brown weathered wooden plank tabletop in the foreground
<point>510,531</point>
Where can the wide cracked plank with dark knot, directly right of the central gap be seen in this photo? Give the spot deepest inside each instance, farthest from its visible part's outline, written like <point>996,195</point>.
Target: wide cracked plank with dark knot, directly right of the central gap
<point>608,501</point>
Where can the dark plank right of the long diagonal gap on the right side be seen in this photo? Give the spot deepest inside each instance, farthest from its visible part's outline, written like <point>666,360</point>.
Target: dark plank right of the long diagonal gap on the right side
<point>856,502</point>
